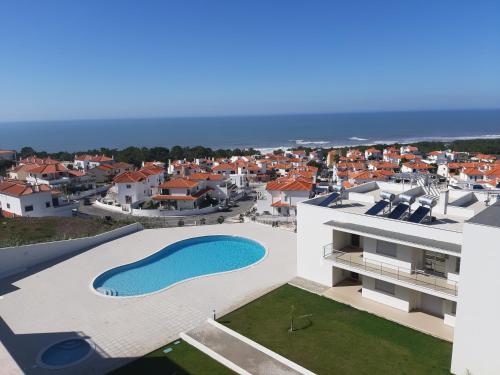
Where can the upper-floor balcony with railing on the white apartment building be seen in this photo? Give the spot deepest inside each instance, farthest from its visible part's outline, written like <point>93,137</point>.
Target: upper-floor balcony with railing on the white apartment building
<point>353,257</point>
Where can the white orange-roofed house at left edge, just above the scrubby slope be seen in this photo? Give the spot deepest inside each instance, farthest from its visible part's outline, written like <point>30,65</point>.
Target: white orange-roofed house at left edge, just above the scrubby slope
<point>21,199</point>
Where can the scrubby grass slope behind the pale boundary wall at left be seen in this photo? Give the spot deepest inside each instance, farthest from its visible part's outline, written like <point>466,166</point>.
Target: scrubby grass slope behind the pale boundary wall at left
<point>24,230</point>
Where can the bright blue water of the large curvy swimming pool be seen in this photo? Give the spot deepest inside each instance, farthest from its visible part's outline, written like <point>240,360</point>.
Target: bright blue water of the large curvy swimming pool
<point>180,261</point>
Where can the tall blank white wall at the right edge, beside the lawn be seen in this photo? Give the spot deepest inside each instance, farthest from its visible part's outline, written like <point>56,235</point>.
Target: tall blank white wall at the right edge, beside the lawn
<point>477,329</point>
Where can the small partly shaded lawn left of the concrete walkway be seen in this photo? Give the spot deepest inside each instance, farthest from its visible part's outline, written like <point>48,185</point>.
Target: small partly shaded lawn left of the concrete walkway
<point>183,359</point>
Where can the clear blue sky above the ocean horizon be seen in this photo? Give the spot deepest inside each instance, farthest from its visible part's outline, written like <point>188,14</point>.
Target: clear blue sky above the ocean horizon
<point>64,59</point>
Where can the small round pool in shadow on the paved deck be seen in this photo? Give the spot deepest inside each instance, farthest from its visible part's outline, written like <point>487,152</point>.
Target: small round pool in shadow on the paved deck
<point>65,353</point>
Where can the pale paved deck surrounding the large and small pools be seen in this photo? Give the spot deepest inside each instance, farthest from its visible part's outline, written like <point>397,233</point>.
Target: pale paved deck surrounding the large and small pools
<point>56,301</point>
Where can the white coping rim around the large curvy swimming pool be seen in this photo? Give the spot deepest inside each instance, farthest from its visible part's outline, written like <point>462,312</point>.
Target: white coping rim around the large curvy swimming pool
<point>94,290</point>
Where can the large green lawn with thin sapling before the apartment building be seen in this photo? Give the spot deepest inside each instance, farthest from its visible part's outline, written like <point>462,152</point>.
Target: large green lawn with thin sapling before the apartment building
<point>337,339</point>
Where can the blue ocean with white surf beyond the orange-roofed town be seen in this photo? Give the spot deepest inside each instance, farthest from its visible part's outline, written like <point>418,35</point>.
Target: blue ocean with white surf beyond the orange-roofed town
<point>262,132</point>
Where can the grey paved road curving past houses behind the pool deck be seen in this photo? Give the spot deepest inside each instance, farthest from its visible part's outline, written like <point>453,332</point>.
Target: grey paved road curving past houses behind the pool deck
<point>242,207</point>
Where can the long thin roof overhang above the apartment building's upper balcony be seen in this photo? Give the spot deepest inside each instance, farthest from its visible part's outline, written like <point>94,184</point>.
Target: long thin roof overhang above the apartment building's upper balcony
<point>406,239</point>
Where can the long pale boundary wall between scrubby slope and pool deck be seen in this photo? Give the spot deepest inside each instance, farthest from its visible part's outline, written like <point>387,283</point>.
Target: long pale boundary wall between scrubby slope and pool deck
<point>19,258</point>
